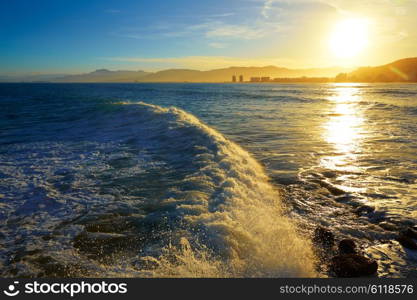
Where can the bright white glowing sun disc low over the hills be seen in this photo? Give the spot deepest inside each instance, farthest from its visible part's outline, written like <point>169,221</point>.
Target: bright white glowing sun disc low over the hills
<point>349,38</point>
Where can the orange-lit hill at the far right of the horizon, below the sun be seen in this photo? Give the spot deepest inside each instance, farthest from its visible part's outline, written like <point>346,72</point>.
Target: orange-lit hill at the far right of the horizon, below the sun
<point>403,70</point>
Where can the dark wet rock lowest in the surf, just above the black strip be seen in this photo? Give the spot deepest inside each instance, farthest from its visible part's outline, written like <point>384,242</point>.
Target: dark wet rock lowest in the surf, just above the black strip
<point>353,265</point>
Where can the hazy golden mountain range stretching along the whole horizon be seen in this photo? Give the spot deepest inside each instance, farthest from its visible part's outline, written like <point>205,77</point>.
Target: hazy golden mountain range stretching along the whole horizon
<point>404,70</point>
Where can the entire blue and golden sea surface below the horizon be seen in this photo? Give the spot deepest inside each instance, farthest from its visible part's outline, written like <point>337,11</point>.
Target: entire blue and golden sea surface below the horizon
<point>203,180</point>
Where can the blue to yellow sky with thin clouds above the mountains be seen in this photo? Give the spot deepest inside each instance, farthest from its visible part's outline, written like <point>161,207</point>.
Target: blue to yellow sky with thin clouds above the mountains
<point>76,36</point>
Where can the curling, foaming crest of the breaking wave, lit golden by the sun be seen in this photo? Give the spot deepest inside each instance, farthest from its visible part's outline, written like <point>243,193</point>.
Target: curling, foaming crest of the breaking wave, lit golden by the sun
<point>232,220</point>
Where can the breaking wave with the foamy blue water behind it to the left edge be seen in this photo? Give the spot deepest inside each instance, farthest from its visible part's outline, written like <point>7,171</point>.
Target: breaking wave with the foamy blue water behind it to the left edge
<point>200,204</point>
